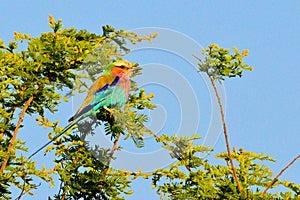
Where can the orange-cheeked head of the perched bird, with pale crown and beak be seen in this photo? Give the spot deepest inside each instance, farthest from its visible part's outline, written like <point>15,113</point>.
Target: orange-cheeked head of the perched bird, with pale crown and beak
<point>122,68</point>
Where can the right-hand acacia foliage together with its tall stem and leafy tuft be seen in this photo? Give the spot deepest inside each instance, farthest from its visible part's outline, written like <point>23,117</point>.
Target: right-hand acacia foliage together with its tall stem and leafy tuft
<point>250,179</point>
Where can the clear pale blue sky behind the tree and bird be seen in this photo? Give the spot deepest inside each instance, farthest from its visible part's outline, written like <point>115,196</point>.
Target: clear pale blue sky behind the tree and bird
<point>262,108</point>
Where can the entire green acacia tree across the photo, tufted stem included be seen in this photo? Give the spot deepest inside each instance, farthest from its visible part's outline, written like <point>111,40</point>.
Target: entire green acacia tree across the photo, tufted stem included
<point>33,82</point>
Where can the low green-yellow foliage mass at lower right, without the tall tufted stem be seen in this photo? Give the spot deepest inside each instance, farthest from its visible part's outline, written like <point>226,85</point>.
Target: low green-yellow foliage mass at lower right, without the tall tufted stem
<point>215,181</point>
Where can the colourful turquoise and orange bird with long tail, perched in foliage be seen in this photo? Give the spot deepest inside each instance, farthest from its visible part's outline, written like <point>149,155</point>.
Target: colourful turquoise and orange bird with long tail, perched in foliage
<point>110,89</point>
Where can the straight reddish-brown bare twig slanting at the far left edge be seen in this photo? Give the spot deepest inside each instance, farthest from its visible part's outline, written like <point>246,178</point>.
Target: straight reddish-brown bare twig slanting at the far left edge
<point>16,132</point>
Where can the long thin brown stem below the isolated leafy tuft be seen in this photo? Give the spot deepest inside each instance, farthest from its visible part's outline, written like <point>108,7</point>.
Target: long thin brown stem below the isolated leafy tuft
<point>226,135</point>
